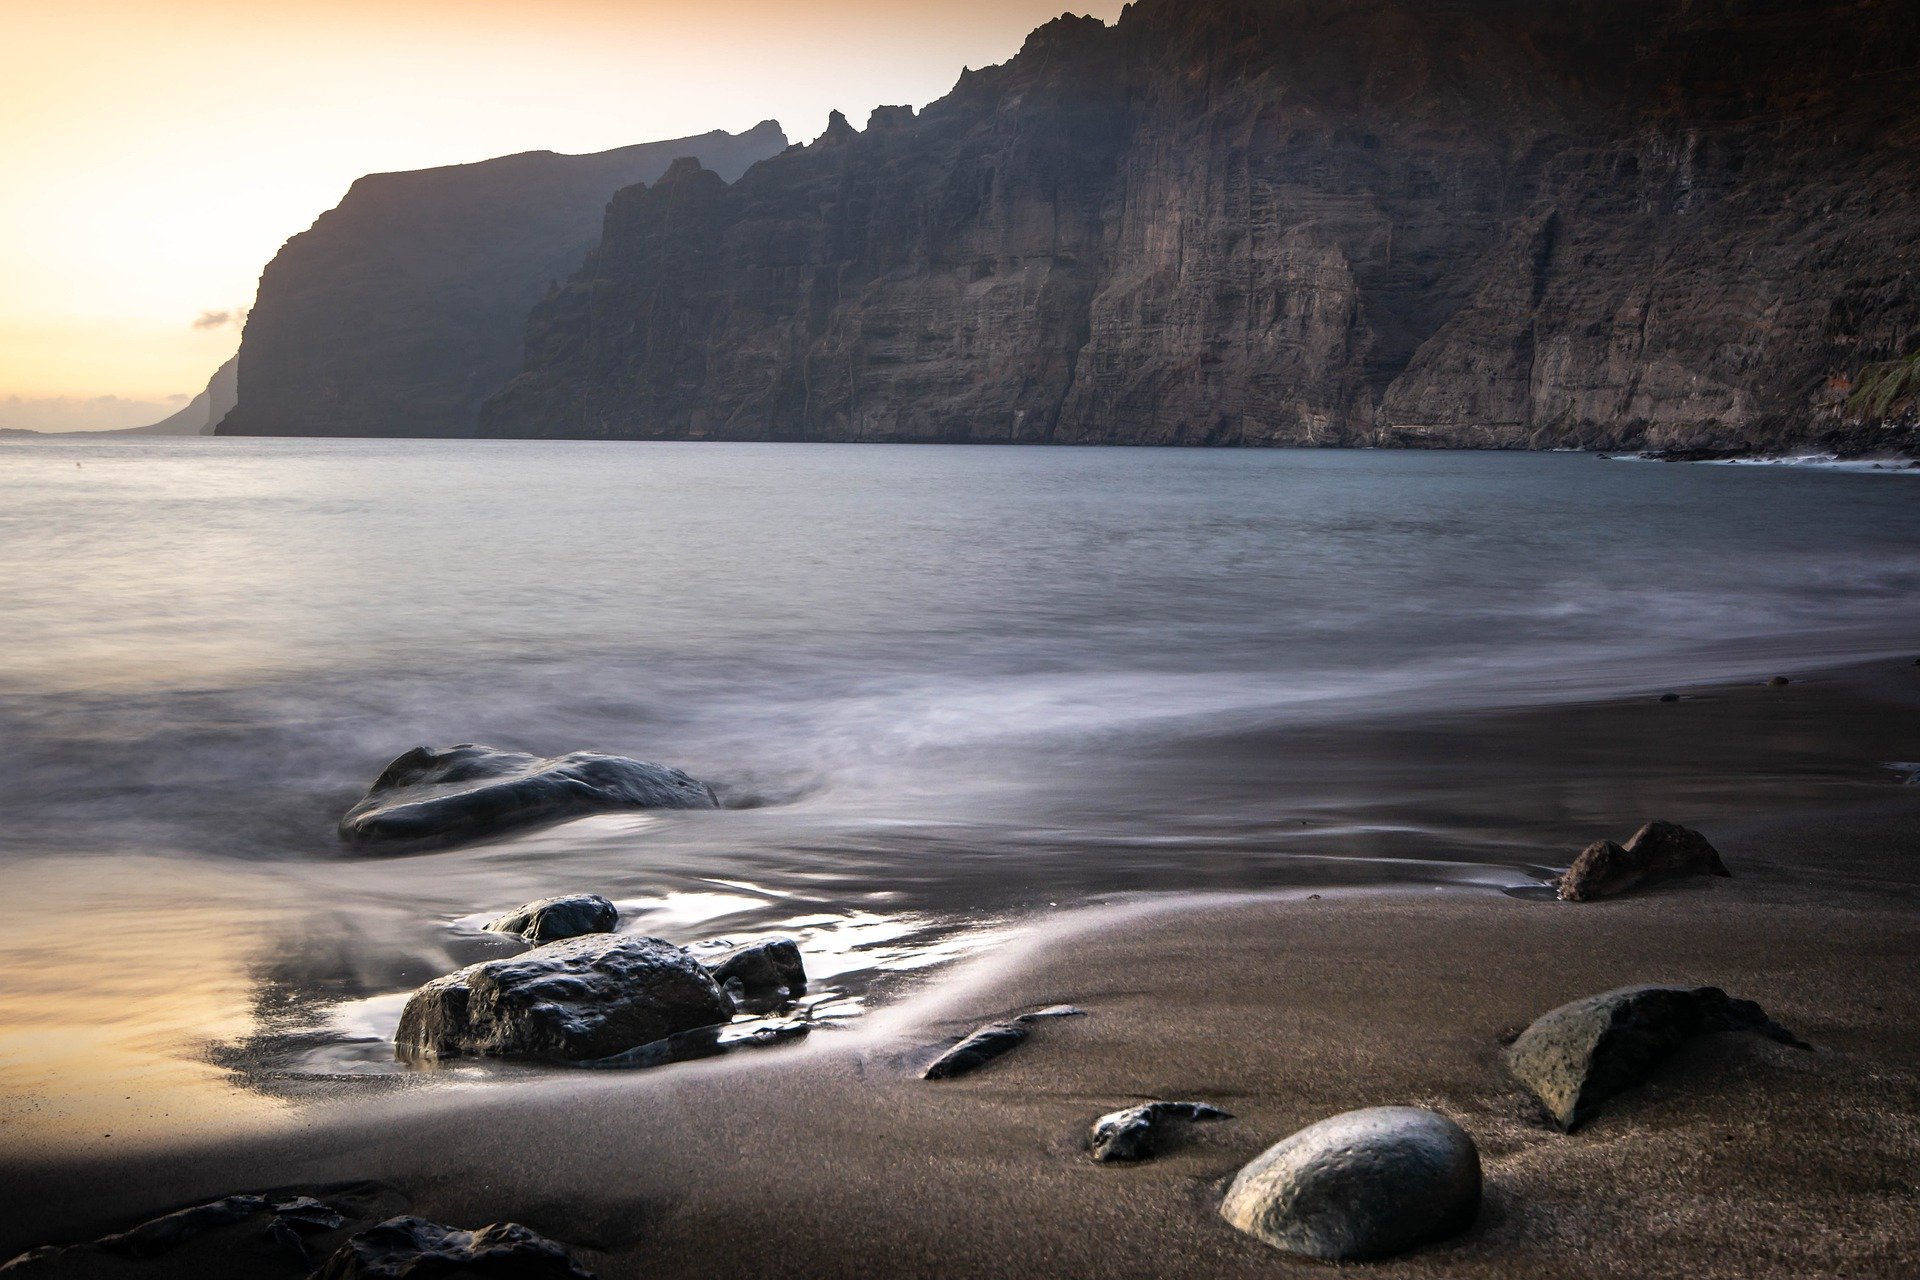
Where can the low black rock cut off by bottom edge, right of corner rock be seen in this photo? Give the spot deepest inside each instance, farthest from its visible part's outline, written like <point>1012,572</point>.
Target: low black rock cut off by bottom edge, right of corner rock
<point>414,1248</point>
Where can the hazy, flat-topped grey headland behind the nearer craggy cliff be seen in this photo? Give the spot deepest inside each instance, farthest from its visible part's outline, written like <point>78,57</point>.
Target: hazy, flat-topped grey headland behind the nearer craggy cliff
<point>404,308</point>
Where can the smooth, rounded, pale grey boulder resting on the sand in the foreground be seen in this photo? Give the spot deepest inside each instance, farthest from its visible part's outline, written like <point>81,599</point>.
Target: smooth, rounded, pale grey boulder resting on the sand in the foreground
<point>1360,1185</point>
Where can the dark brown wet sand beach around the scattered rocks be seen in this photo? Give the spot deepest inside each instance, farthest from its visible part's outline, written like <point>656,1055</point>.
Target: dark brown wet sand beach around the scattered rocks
<point>1742,1158</point>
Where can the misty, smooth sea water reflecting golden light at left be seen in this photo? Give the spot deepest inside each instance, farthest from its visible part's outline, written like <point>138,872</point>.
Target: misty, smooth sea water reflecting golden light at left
<point>936,690</point>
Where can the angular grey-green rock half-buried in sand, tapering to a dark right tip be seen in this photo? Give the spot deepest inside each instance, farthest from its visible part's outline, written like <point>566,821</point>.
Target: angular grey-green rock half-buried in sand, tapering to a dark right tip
<point>1589,1051</point>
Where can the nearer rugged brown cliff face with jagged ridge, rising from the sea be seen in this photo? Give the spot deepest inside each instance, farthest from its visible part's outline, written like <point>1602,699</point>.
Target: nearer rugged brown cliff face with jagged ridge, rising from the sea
<point>1291,222</point>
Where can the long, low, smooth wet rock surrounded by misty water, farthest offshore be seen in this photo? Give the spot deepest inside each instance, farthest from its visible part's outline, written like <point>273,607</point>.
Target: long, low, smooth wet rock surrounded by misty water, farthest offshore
<point>468,792</point>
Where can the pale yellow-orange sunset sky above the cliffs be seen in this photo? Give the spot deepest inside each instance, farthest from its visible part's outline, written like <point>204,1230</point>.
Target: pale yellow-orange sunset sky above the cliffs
<point>156,153</point>
